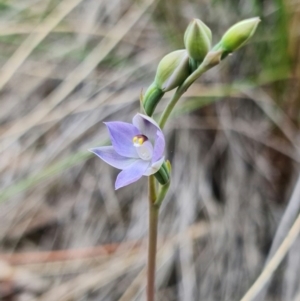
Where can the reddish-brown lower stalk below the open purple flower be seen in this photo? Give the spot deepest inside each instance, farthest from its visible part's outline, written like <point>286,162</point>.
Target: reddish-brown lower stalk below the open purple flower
<point>152,243</point>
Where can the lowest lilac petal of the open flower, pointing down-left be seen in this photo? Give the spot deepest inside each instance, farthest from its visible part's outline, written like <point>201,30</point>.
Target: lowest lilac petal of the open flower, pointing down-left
<point>132,173</point>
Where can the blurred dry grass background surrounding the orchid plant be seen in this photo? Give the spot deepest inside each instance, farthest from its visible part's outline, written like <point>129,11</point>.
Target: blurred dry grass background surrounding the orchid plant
<point>233,141</point>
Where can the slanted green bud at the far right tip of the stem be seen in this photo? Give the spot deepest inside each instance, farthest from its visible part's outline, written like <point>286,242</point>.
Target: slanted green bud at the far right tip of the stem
<point>237,35</point>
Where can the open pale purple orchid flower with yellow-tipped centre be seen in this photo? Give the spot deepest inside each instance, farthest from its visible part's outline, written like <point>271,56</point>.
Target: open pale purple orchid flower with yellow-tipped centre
<point>137,149</point>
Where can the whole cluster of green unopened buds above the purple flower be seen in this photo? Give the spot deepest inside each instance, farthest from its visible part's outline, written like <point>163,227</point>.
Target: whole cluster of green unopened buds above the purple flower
<point>175,67</point>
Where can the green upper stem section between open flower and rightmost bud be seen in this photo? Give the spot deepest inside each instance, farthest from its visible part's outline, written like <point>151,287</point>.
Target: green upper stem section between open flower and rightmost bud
<point>210,61</point>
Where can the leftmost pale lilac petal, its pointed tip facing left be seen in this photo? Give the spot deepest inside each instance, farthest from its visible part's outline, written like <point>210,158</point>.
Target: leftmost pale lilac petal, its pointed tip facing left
<point>110,156</point>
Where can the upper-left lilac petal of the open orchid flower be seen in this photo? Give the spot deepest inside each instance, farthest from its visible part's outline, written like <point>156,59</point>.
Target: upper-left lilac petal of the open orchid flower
<point>121,135</point>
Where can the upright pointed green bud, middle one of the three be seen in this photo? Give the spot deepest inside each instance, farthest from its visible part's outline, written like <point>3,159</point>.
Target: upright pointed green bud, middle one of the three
<point>197,40</point>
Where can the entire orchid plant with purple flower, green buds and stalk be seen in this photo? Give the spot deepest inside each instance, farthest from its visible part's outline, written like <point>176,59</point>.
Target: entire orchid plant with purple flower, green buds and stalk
<point>138,149</point>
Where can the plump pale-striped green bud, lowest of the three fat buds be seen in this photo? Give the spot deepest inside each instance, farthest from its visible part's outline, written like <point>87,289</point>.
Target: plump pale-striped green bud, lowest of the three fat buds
<point>172,70</point>
